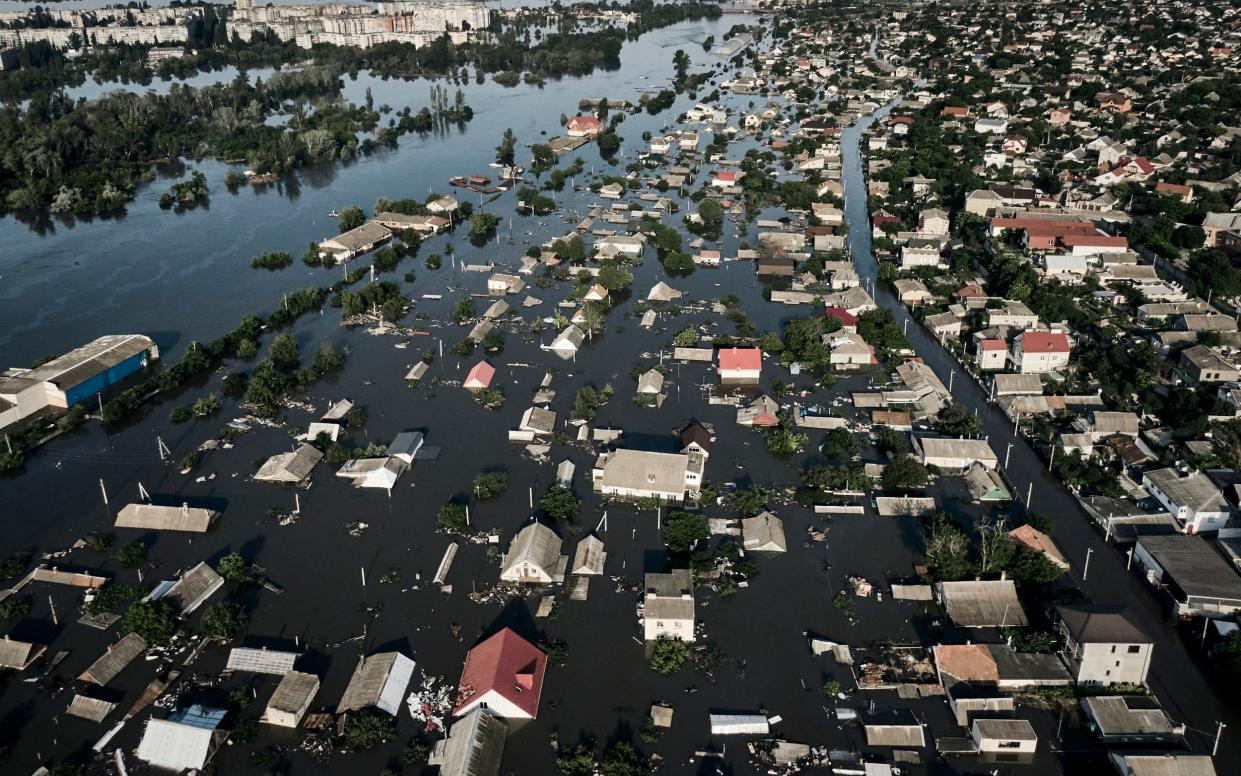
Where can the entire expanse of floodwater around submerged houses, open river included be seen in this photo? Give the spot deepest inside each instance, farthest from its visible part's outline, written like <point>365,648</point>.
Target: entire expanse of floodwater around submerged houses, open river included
<point>186,276</point>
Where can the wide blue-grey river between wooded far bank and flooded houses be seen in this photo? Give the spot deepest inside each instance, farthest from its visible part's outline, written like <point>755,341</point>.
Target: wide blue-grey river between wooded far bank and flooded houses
<point>158,271</point>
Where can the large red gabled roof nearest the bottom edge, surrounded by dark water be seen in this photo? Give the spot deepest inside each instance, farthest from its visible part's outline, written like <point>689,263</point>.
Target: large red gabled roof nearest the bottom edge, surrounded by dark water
<point>507,665</point>
